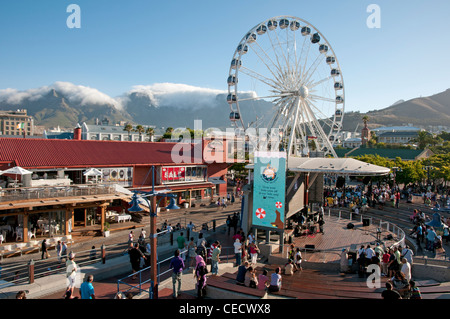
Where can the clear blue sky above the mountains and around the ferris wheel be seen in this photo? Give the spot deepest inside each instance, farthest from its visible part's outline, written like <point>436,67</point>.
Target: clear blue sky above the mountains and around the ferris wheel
<point>125,43</point>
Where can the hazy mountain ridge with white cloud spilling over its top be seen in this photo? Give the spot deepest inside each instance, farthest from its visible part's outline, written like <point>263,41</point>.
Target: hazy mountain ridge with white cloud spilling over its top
<point>65,105</point>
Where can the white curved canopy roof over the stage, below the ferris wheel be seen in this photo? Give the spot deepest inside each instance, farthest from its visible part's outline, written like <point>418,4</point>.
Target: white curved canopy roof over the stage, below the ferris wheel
<point>340,166</point>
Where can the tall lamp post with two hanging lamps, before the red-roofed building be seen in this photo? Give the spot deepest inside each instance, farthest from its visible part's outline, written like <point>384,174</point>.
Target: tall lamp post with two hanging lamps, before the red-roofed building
<point>153,233</point>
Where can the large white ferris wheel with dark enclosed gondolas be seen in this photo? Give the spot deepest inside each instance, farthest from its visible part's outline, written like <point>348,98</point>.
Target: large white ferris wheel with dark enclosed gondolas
<point>285,76</point>
